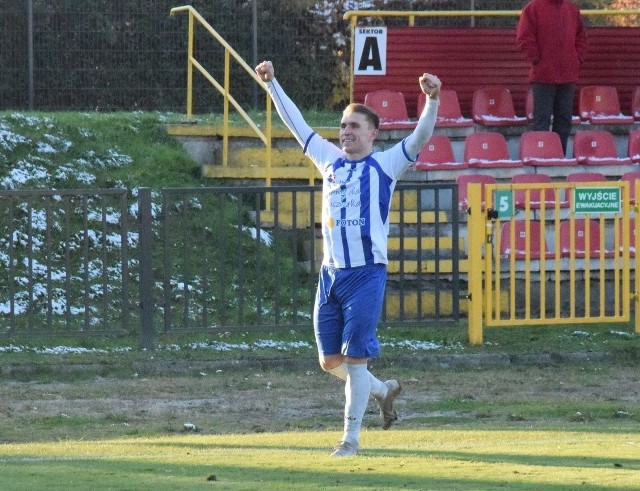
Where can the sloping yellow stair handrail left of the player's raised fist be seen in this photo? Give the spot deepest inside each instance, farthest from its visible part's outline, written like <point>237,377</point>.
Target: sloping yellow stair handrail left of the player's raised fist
<point>224,88</point>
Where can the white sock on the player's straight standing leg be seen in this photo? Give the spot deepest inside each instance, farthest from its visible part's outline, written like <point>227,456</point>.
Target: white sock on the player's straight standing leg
<point>356,391</point>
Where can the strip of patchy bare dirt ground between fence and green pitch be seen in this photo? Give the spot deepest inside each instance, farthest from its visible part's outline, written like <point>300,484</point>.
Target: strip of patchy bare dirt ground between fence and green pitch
<point>245,398</point>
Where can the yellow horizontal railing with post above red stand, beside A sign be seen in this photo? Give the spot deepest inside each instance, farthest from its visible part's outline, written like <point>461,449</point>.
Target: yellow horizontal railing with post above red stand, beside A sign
<point>353,15</point>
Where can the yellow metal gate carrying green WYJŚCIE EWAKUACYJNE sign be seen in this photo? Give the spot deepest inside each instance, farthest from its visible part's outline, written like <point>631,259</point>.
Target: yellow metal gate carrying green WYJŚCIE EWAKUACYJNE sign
<point>518,277</point>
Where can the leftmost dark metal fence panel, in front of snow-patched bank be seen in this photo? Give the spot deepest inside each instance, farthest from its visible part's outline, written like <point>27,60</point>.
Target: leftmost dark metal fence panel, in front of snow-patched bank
<point>66,261</point>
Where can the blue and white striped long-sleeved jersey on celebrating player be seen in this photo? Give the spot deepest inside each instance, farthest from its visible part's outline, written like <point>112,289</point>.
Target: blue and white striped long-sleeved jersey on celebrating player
<point>356,195</point>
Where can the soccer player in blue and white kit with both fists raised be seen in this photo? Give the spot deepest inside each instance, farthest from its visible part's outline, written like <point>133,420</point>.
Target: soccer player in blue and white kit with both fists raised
<point>356,199</point>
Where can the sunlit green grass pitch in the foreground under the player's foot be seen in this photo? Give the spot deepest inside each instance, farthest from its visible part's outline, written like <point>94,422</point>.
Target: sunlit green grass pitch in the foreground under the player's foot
<point>470,459</point>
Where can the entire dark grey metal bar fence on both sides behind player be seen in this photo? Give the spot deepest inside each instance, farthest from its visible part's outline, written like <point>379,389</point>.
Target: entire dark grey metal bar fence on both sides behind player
<point>201,260</point>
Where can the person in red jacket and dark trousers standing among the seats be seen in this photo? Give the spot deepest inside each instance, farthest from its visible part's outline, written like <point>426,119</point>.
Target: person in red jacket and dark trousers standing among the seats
<point>551,35</point>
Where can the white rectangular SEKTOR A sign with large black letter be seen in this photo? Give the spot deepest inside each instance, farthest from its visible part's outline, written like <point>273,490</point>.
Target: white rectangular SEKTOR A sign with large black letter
<point>370,51</point>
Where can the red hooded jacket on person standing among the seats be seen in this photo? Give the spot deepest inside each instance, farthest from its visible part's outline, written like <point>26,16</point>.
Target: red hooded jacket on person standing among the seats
<point>551,35</point>
